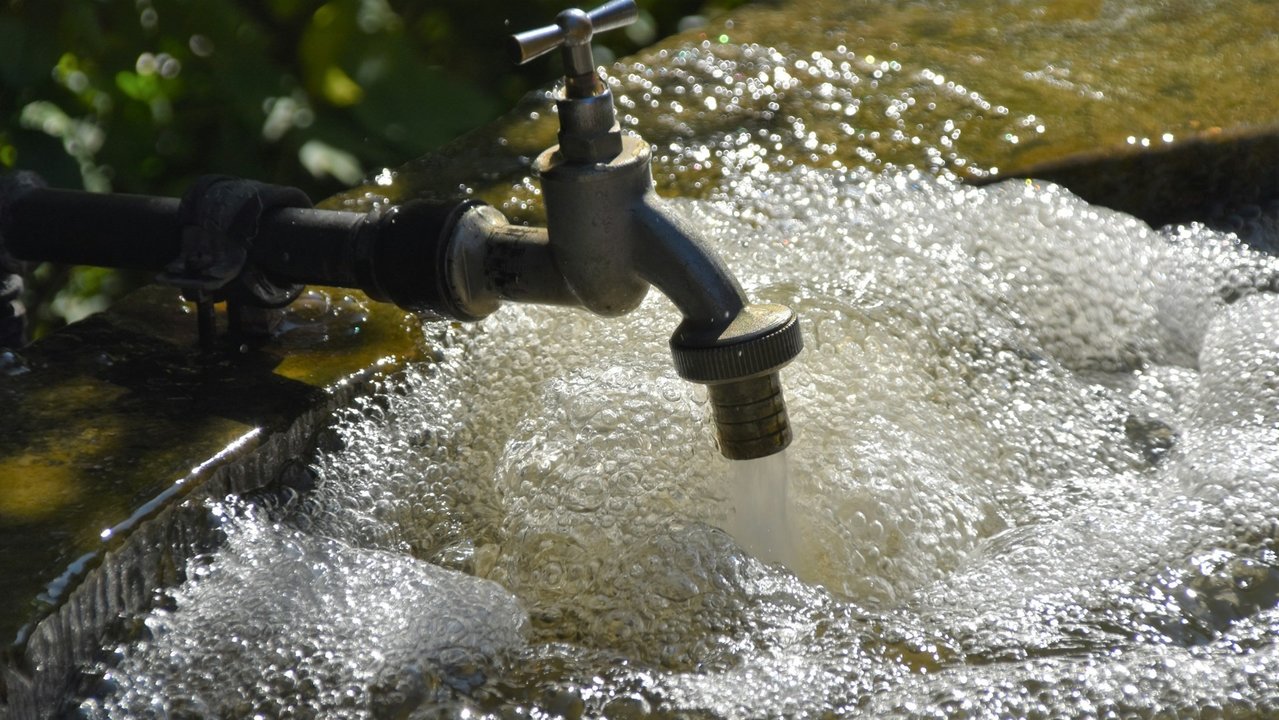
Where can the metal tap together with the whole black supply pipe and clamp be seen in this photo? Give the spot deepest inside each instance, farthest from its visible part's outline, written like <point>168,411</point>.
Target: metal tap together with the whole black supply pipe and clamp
<point>608,239</point>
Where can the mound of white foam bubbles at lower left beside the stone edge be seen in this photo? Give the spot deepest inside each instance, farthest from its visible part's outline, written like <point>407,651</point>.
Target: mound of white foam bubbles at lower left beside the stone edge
<point>282,623</point>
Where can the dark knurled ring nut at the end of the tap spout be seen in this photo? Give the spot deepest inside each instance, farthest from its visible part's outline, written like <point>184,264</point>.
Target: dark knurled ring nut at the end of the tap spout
<point>737,361</point>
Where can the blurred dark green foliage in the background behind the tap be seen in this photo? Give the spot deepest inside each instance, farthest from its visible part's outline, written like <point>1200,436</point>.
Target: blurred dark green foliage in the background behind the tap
<point>143,97</point>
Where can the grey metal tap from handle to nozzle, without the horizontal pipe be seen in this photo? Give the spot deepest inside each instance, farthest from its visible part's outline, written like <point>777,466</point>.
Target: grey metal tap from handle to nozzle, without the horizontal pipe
<point>612,237</point>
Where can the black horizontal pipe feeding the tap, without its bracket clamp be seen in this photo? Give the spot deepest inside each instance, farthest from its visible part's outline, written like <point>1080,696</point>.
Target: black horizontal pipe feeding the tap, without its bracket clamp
<point>397,255</point>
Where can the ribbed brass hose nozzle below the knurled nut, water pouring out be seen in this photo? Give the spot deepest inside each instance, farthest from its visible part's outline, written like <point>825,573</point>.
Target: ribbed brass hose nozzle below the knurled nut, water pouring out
<point>751,418</point>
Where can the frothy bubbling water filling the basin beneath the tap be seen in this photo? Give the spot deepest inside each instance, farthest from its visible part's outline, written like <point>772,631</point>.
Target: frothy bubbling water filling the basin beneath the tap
<point>1035,474</point>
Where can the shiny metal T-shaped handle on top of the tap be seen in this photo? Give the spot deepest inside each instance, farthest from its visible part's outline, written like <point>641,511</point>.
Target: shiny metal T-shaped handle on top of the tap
<point>572,33</point>
